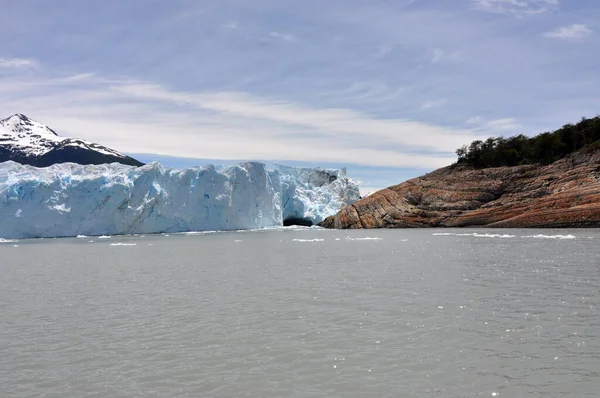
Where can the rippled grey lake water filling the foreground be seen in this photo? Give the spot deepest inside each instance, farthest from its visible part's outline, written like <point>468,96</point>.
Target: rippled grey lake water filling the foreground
<point>303,313</point>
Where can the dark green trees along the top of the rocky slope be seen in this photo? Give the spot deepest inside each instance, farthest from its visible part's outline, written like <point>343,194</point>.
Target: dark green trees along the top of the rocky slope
<point>544,148</point>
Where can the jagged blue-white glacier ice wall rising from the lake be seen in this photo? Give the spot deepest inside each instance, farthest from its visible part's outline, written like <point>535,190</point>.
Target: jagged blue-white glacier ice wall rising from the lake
<point>69,199</point>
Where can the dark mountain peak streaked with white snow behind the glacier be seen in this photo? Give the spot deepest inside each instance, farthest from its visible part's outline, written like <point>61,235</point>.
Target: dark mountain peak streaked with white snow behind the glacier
<point>29,142</point>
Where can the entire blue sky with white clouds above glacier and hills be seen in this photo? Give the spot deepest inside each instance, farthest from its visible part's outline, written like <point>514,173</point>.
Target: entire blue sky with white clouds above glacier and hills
<point>388,89</point>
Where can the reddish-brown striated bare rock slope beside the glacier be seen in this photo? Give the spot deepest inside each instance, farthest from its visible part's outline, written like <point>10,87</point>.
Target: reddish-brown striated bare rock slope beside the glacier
<point>563,194</point>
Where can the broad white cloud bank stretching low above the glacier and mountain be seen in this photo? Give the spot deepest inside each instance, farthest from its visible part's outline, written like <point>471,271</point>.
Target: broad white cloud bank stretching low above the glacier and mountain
<point>150,118</point>
